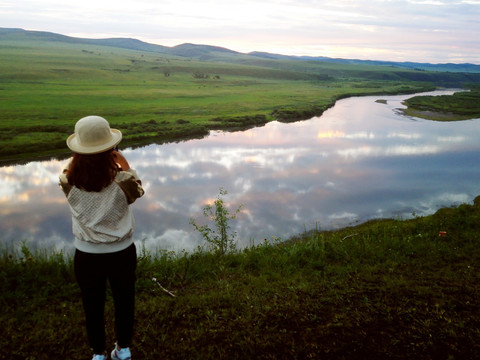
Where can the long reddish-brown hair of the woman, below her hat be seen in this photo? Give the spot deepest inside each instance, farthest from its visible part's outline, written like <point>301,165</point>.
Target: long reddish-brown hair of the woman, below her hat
<point>92,172</point>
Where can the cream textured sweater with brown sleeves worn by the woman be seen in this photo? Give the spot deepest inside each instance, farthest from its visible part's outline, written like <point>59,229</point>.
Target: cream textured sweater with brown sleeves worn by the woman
<point>103,222</point>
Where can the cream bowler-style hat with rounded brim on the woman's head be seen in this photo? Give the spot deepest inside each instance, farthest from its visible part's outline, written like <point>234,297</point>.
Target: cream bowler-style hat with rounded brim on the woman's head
<point>93,135</point>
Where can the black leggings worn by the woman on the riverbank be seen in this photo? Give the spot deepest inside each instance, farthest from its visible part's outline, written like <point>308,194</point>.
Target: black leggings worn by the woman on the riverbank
<point>92,272</point>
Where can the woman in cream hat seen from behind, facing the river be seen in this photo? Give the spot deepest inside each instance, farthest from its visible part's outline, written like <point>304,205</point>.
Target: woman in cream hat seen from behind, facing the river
<point>100,185</point>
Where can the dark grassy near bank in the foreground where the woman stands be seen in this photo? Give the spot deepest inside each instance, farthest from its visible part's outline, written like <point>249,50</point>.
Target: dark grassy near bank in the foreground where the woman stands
<point>386,289</point>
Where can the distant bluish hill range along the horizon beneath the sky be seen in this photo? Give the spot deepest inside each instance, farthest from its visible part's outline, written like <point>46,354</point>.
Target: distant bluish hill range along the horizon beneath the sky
<point>215,53</point>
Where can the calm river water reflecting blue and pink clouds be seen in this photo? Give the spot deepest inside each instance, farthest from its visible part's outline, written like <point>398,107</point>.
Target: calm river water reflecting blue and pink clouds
<point>359,160</point>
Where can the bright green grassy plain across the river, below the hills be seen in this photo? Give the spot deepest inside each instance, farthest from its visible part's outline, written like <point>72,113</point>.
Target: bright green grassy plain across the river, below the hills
<point>45,87</point>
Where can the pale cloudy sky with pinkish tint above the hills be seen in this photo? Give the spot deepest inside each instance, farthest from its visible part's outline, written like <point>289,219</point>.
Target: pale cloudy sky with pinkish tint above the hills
<point>435,31</point>
